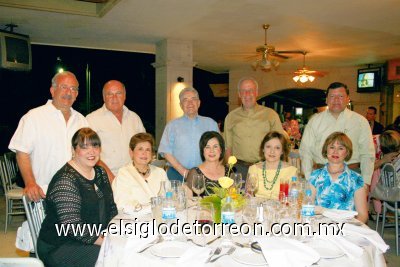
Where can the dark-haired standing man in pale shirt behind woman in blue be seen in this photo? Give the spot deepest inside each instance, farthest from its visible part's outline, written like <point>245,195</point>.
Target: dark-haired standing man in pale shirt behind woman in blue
<point>337,118</point>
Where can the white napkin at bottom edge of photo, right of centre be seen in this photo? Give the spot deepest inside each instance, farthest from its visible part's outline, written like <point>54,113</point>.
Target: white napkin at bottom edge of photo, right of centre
<point>286,252</point>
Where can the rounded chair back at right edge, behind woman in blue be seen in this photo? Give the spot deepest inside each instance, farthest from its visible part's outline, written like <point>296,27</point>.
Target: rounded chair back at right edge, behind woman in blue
<point>388,187</point>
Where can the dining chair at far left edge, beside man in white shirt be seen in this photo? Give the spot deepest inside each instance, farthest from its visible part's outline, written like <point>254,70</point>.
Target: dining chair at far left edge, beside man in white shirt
<point>13,194</point>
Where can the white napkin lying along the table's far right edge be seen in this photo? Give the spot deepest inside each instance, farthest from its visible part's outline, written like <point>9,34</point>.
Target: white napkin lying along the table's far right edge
<point>371,235</point>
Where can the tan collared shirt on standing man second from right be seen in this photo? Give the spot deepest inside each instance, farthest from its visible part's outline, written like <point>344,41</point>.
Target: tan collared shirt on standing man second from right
<point>245,129</point>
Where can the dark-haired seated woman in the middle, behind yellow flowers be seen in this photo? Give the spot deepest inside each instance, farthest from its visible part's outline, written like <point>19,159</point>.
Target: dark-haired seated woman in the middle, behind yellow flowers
<point>212,152</point>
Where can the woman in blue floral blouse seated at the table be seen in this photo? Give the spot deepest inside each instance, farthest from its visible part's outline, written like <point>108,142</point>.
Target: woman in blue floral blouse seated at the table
<point>335,186</point>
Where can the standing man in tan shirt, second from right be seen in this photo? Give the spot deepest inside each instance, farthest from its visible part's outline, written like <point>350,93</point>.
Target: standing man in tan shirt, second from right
<point>246,126</point>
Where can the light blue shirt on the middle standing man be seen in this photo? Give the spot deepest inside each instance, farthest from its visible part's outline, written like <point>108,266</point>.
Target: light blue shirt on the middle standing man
<point>181,139</point>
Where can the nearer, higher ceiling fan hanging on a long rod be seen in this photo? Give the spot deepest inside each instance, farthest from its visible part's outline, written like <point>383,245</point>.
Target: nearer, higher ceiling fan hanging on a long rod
<point>269,56</point>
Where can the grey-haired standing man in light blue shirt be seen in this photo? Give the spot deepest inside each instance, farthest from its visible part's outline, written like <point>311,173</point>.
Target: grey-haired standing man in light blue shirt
<point>180,140</point>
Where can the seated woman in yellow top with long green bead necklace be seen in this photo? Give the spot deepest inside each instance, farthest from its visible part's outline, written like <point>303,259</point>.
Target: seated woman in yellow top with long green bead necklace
<point>273,169</point>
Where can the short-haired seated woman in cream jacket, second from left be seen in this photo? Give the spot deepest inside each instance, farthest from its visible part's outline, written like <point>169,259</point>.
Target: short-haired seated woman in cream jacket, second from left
<point>138,181</point>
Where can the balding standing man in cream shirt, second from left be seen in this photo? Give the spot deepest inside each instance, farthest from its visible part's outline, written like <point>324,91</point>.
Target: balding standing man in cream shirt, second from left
<point>115,124</point>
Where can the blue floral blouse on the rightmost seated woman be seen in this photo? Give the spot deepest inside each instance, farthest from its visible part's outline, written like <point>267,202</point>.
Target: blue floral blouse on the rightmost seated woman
<point>337,194</point>
